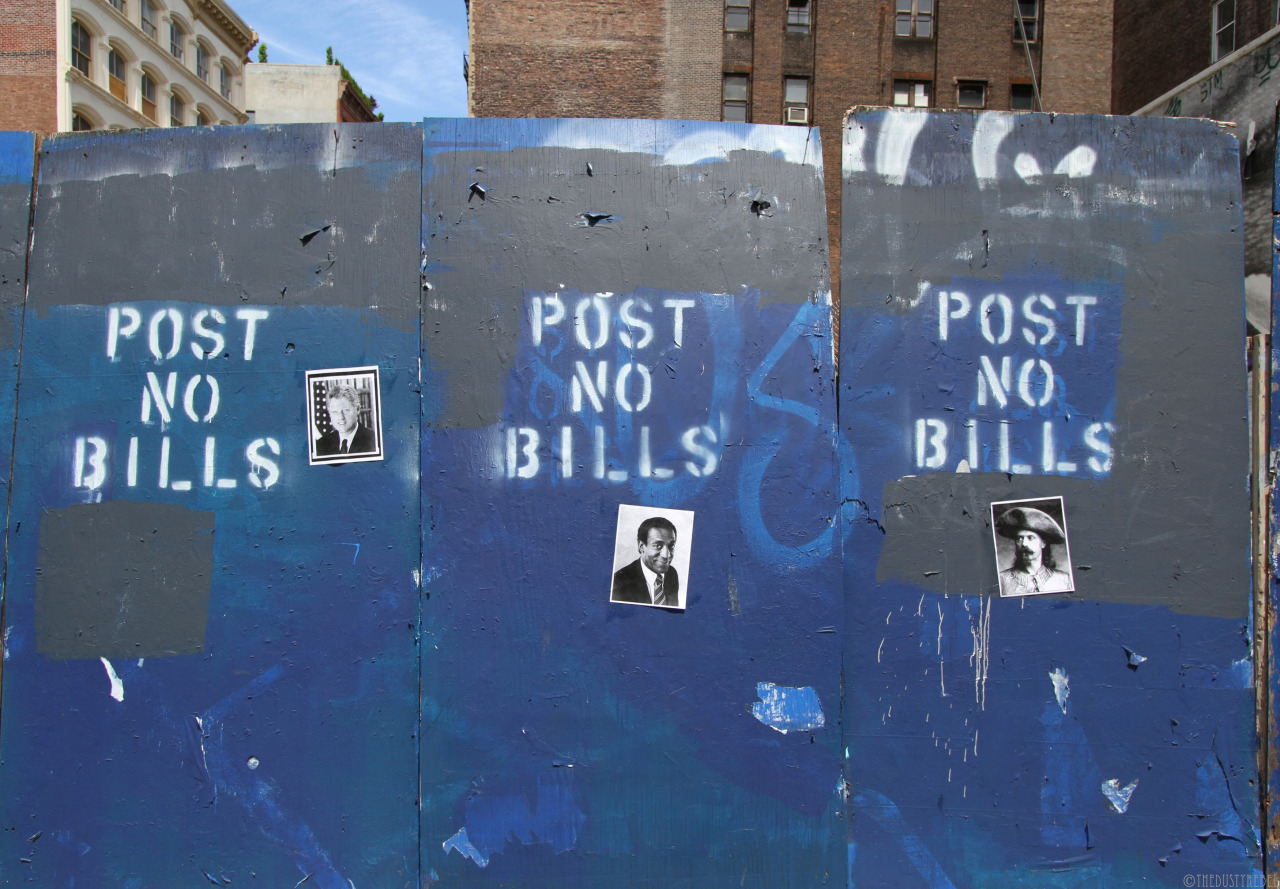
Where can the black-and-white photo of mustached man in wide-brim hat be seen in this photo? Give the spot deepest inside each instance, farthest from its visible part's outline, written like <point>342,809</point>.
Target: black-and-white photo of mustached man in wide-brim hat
<point>1035,535</point>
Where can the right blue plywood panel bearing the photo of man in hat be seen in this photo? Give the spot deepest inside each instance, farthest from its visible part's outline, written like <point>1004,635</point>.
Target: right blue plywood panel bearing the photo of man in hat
<point>1040,308</point>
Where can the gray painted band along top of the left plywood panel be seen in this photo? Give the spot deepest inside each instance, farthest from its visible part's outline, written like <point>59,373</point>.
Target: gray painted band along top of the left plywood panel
<point>231,227</point>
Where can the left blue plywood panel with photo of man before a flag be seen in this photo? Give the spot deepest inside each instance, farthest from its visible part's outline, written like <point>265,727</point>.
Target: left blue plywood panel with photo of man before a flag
<point>211,665</point>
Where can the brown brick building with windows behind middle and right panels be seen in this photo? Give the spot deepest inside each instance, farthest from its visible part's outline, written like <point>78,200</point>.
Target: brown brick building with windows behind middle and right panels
<point>787,62</point>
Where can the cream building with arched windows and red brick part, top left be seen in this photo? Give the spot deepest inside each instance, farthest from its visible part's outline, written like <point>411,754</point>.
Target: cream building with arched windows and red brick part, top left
<point>109,65</point>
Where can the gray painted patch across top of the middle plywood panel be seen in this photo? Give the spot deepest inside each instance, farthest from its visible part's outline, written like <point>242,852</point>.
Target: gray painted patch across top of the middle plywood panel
<point>676,227</point>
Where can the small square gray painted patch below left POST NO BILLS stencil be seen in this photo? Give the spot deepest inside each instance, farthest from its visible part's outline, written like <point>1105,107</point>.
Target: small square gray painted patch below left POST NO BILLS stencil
<point>124,580</point>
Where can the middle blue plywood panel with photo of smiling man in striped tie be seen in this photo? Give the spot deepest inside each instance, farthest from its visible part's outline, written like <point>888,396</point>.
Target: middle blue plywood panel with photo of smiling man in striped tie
<point>628,313</point>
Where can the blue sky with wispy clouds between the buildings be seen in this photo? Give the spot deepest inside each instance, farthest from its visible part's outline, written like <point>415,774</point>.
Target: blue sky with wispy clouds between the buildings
<point>408,54</point>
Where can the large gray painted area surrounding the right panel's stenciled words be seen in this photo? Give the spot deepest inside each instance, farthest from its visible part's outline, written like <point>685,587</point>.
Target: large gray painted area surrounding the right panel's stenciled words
<point>1171,525</point>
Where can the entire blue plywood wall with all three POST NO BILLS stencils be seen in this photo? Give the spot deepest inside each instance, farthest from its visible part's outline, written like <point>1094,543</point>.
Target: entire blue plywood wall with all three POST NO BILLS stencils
<point>227,665</point>
